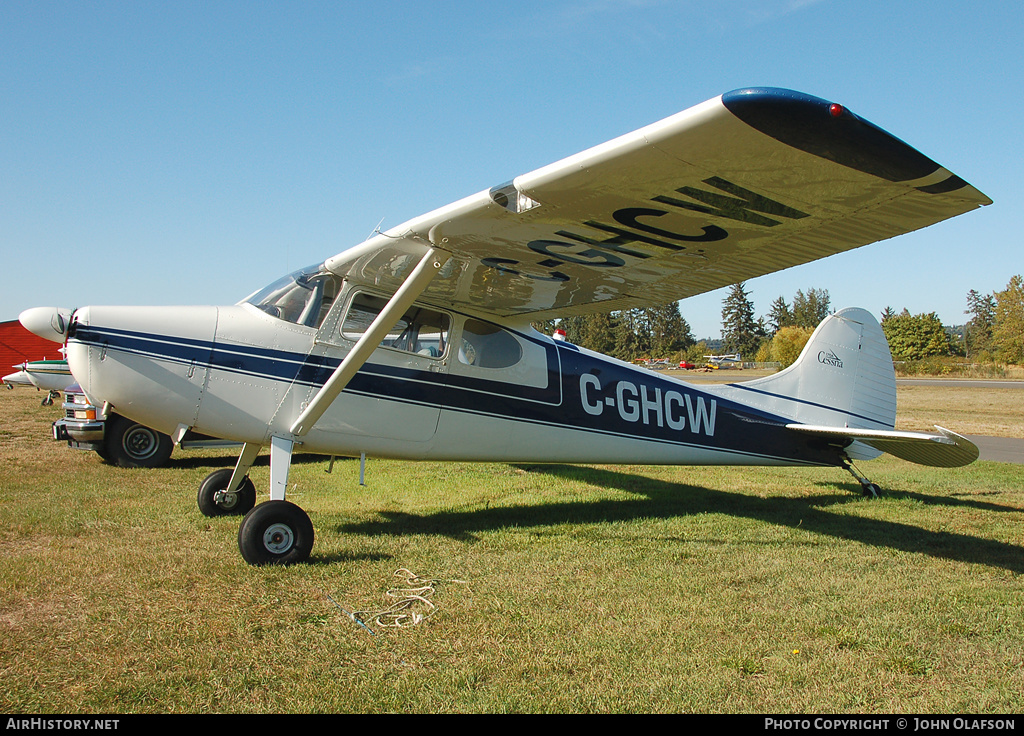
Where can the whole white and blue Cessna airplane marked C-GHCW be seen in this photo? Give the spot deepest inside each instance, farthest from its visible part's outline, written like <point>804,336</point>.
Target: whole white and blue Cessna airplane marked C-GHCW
<point>418,342</point>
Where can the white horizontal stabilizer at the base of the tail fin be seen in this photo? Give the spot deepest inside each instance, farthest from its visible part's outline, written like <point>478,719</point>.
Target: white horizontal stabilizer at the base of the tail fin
<point>947,450</point>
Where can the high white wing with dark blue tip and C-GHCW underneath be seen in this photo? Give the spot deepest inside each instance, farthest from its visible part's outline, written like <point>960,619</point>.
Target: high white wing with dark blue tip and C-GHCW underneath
<point>751,183</point>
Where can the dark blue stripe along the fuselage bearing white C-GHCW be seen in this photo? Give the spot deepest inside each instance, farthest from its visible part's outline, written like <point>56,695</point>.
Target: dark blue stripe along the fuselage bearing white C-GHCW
<point>633,404</point>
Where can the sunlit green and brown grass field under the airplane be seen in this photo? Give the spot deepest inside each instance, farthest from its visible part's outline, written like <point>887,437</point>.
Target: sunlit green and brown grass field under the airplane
<point>557,589</point>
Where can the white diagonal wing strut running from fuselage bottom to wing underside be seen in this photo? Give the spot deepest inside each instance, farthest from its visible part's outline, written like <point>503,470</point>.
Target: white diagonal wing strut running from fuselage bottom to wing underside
<point>418,281</point>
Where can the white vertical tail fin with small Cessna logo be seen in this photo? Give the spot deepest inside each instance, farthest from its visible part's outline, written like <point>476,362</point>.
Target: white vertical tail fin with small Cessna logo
<point>843,378</point>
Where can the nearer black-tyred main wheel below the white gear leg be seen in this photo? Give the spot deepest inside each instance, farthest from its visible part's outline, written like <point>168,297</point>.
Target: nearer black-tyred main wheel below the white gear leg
<point>276,533</point>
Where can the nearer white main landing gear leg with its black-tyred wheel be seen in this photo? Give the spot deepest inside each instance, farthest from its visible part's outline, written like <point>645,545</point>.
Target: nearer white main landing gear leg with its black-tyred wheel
<point>277,533</point>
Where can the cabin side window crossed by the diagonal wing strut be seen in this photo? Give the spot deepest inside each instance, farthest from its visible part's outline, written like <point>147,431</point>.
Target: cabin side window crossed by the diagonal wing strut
<point>420,331</point>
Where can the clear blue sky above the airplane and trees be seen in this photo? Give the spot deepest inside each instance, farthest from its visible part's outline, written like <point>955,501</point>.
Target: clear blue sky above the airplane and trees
<point>191,153</point>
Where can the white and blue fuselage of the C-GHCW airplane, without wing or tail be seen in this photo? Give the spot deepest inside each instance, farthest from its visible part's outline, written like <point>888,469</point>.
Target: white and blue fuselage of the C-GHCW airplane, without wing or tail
<point>241,374</point>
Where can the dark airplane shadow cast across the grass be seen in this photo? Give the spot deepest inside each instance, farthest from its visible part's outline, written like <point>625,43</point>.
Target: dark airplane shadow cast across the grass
<point>666,501</point>
